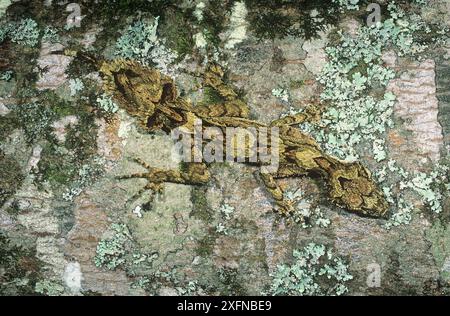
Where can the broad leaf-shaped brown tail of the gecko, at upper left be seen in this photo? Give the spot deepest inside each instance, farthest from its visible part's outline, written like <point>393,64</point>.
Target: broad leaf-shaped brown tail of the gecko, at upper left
<point>141,91</point>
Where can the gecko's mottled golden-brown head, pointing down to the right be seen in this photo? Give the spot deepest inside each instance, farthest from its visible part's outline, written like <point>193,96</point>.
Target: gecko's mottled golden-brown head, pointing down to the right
<point>353,189</point>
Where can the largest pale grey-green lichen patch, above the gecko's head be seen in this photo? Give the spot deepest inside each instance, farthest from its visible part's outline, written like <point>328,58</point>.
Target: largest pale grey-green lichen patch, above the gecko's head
<point>355,67</point>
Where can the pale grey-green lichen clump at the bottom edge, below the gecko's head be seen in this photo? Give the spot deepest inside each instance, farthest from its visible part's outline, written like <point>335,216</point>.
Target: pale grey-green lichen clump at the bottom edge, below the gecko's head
<point>316,271</point>
